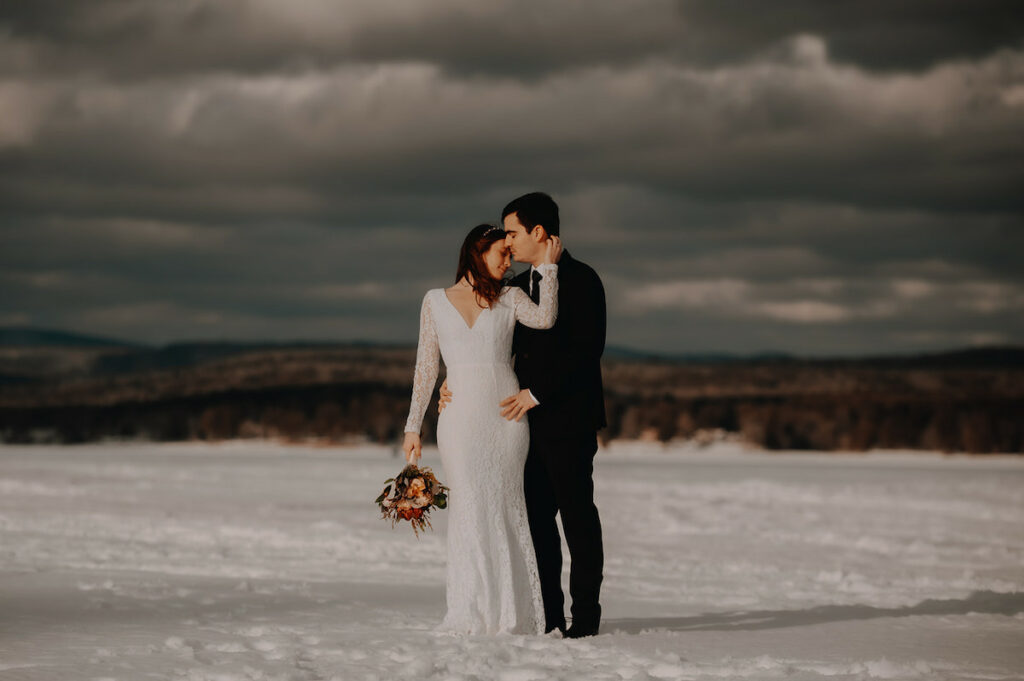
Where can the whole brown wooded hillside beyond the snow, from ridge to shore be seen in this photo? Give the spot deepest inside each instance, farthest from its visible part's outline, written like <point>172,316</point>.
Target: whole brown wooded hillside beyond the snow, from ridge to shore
<point>344,395</point>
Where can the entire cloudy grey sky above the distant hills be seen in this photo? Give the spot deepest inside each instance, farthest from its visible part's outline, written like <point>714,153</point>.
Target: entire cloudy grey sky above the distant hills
<point>813,178</point>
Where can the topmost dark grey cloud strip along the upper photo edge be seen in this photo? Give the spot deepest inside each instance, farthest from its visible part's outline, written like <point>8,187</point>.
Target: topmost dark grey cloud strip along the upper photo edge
<point>132,39</point>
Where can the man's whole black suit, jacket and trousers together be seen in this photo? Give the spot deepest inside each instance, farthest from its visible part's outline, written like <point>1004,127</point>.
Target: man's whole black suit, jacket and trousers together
<point>563,368</point>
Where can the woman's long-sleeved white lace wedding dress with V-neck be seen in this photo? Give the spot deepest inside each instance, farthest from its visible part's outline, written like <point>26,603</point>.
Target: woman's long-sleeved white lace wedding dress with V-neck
<point>493,584</point>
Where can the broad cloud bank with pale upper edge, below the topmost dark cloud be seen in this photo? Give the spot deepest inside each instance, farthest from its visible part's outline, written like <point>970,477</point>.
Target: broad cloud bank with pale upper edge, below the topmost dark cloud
<point>795,125</point>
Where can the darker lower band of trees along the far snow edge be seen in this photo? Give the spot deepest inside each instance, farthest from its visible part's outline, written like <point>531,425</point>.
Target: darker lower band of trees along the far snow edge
<point>338,414</point>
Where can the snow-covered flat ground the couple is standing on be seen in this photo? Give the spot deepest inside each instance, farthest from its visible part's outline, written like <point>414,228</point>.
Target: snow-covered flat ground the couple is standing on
<point>248,561</point>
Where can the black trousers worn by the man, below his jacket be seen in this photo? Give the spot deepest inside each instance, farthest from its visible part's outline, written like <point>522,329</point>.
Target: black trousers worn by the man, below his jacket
<point>560,479</point>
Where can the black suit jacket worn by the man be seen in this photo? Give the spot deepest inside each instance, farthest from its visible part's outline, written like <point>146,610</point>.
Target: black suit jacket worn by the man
<point>563,365</point>
